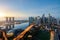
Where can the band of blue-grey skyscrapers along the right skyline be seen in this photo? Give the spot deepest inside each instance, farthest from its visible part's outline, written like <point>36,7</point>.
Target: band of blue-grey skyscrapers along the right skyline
<point>44,20</point>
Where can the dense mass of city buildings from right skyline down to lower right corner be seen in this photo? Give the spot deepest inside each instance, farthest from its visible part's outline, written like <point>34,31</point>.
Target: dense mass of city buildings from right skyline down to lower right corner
<point>47,23</point>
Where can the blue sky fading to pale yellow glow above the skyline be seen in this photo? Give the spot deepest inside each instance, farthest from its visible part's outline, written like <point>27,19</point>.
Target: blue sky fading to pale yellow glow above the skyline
<point>26,8</point>
